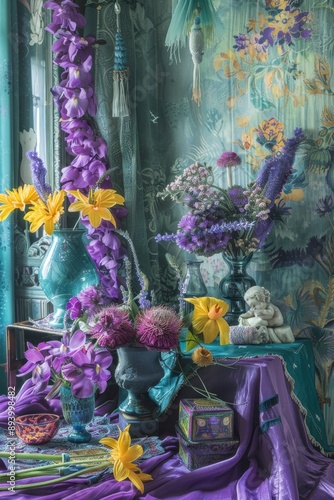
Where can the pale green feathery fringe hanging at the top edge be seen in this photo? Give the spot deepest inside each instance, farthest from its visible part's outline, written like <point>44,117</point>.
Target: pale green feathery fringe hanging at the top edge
<point>183,16</point>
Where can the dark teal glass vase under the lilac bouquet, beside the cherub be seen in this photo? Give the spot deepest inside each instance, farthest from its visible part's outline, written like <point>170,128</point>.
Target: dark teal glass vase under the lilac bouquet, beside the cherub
<point>234,286</point>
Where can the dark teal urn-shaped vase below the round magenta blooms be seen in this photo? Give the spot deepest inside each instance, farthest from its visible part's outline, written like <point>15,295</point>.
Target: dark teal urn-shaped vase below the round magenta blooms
<point>138,370</point>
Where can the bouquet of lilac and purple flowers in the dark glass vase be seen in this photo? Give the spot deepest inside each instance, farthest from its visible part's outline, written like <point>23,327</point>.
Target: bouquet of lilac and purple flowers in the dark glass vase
<point>237,220</point>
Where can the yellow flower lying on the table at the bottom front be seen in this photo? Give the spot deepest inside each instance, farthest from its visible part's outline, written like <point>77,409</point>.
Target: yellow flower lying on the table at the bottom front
<point>122,455</point>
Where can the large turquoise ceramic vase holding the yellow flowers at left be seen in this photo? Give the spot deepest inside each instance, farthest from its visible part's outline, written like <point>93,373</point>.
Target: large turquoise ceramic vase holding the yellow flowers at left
<point>66,270</point>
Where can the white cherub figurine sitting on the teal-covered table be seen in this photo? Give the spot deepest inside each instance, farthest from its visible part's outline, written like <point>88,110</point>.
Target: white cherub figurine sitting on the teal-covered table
<point>265,317</point>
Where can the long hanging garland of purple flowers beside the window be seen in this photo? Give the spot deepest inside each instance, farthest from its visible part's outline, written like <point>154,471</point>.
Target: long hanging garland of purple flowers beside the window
<point>76,101</point>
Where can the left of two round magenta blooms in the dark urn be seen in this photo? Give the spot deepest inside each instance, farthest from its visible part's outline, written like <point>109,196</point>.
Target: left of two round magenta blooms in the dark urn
<point>113,328</point>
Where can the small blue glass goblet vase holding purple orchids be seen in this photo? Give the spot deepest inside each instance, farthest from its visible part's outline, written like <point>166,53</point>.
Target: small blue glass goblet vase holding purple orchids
<point>77,412</point>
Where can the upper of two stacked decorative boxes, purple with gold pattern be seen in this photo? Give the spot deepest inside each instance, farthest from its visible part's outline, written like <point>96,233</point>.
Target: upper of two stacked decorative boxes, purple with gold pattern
<point>205,420</point>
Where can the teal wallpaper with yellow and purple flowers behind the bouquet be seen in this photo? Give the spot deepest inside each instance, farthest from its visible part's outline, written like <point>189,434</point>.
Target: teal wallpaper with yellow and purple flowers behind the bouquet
<point>268,71</point>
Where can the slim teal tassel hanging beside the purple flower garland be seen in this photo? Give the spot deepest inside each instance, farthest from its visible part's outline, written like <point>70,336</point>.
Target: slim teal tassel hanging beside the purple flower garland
<point>120,103</point>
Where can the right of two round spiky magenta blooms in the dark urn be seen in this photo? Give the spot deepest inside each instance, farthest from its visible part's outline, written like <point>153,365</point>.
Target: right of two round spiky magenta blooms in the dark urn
<point>158,328</point>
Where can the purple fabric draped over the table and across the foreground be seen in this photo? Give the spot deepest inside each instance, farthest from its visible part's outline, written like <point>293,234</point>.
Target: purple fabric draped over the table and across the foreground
<point>275,459</point>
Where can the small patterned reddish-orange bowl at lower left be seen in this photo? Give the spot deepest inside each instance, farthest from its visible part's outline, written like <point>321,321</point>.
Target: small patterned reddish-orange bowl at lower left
<point>36,428</point>
